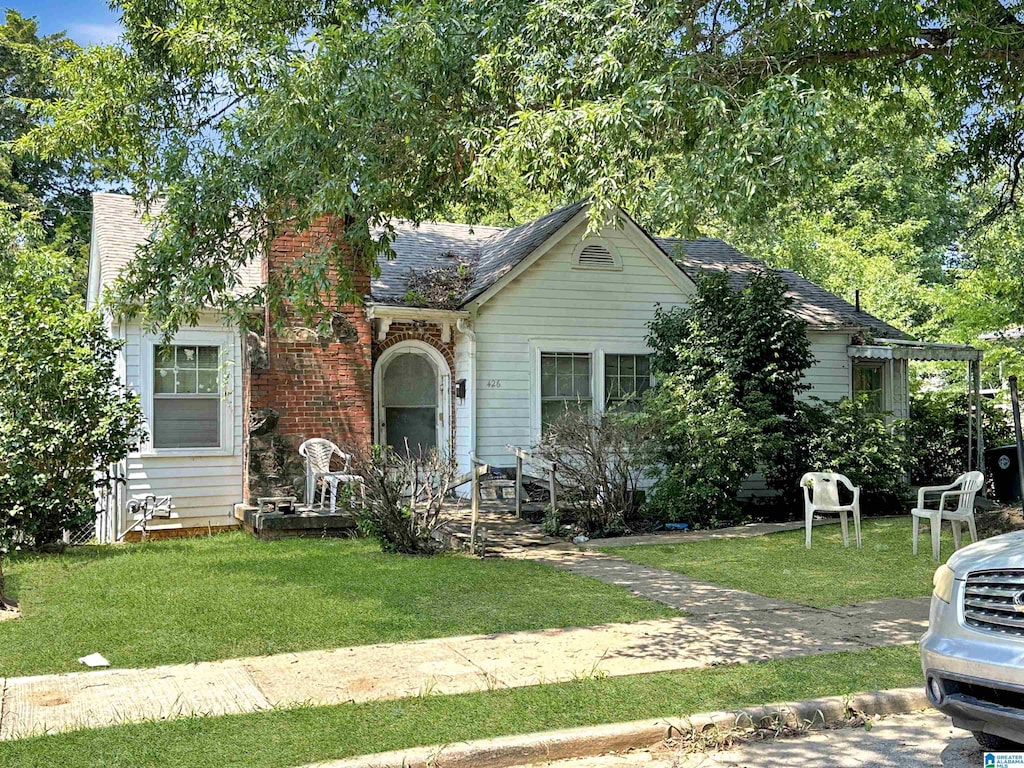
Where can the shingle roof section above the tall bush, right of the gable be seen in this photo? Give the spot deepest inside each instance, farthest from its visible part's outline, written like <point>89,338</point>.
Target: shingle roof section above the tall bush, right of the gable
<point>812,303</point>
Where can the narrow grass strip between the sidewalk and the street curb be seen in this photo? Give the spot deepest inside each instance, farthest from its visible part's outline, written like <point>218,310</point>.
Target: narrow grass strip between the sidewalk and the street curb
<point>290,738</point>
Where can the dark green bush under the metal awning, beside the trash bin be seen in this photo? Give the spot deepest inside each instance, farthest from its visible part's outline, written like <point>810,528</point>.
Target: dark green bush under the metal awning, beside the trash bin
<point>937,435</point>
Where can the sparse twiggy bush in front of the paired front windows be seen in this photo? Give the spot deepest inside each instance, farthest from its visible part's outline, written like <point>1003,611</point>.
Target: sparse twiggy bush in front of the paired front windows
<point>603,460</point>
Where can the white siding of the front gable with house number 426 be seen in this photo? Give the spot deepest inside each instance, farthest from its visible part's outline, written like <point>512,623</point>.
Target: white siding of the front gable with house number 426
<point>552,305</point>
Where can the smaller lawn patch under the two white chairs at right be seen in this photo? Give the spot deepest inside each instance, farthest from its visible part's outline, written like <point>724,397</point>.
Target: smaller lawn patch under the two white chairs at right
<point>779,566</point>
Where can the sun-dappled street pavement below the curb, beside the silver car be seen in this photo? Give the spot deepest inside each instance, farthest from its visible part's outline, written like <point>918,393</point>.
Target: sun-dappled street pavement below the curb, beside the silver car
<point>915,741</point>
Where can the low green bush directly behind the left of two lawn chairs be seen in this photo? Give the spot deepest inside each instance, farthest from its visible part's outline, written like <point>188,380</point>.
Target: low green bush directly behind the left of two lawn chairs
<point>846,437</point>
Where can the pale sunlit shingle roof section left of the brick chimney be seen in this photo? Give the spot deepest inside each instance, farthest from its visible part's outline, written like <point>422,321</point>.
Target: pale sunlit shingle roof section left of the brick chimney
<point>119,229</point>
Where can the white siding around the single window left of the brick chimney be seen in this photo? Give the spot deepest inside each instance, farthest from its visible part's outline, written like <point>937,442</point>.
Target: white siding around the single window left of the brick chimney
<point>204,487</point>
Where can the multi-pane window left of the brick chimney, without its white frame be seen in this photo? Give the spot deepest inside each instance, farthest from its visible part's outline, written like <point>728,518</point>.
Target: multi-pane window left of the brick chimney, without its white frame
<point>186,397</point>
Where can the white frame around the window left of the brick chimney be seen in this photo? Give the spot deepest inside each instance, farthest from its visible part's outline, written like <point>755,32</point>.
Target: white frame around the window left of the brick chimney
<point>226,344</point>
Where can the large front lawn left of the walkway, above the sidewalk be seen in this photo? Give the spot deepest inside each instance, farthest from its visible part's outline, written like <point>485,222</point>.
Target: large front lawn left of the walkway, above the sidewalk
<point>232,595</point>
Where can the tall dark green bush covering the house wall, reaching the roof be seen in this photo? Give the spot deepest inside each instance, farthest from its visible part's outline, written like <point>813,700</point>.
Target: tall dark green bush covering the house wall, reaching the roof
<point>731,369</point>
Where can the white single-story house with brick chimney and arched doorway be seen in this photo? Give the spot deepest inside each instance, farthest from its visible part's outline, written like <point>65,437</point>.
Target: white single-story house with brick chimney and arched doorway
<point>540,315</point>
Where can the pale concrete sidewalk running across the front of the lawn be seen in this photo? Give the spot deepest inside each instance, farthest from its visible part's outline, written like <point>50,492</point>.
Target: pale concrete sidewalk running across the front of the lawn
<point>740,627</point>
